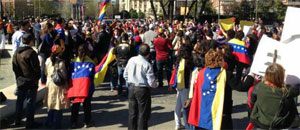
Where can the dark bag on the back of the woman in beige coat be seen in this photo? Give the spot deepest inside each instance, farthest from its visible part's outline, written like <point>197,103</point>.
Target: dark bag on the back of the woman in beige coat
<point>57,75</point>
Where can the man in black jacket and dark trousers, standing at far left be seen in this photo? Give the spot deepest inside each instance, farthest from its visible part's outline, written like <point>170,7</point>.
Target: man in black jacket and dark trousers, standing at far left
<point>27,70</point>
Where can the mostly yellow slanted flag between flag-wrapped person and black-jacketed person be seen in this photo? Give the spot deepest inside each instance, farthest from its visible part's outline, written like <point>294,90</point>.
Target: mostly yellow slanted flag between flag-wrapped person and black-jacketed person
<point>101,69</point>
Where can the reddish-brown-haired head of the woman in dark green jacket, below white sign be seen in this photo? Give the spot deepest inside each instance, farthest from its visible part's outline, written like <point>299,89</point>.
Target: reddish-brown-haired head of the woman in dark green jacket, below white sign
<point>275,74</point>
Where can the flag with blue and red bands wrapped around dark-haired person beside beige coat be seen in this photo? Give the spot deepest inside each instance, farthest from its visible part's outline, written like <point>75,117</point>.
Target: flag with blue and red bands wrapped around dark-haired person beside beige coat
<point>81,79</point>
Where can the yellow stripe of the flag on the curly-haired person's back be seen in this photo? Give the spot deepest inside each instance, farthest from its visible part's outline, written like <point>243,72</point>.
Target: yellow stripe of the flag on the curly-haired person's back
<point>218,103</point>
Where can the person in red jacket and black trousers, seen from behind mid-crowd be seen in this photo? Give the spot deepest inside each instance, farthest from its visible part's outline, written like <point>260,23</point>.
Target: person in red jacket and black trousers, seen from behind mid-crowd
<point>162,47</point>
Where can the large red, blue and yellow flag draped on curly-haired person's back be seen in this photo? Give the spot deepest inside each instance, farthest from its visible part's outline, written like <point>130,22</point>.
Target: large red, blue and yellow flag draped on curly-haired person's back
<point>207,104</point>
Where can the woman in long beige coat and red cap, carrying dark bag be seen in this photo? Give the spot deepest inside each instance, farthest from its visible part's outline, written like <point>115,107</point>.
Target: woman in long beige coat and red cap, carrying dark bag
<point>55,97</point>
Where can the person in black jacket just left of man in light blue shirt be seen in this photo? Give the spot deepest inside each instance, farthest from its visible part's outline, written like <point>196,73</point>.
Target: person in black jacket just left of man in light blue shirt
<point>123,53</point>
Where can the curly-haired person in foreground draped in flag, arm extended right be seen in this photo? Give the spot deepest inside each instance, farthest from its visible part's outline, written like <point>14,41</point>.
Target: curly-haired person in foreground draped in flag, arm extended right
<point>211,103</point>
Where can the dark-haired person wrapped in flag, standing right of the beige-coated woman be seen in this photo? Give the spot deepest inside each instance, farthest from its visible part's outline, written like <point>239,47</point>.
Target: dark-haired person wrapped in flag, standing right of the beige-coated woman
<point>83,67</point>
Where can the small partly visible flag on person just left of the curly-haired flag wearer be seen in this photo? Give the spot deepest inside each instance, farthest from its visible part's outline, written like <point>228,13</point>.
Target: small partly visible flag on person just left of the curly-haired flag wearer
<point>177,78</point>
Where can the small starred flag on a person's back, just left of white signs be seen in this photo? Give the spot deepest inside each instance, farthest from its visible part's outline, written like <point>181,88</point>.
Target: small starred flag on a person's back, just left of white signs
<point>240,51</point>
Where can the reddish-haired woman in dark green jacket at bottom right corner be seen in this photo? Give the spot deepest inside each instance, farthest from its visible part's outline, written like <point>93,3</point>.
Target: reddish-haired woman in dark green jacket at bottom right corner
<point>274,107</point>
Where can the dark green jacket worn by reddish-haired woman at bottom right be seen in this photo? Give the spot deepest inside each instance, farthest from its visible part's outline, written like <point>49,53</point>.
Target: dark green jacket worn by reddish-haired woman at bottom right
<point>268,104</point>
